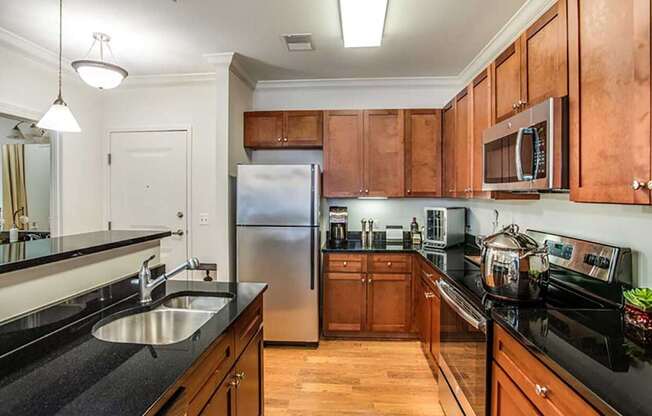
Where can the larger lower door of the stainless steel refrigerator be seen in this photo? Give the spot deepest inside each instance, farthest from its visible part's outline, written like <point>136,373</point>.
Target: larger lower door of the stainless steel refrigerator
<point>287,259</point>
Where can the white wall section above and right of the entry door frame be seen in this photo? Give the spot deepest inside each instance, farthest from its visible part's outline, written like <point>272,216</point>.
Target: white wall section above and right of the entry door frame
<point>178,105</point>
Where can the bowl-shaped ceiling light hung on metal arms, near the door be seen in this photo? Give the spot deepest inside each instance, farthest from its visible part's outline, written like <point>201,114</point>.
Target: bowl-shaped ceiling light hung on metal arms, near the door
<point>100,74</point>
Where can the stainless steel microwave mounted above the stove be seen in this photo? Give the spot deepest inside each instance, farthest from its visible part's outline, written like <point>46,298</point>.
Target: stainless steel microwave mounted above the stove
<point>529,151</point>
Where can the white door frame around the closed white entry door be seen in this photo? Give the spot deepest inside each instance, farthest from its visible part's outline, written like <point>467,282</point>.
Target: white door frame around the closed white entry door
<point>187,128</point>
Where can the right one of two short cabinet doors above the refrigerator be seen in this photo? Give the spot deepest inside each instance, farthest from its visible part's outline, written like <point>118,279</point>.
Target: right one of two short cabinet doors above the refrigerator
<point>303,129</point>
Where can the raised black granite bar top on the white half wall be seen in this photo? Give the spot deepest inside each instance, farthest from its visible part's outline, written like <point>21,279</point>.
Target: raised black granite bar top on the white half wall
<point>24,254</point>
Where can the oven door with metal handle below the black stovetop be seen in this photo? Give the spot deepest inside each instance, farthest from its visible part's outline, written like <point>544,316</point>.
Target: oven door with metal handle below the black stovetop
<point>463,357</point>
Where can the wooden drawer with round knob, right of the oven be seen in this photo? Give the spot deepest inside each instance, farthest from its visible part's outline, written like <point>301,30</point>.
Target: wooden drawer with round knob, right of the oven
<point>531,375</point>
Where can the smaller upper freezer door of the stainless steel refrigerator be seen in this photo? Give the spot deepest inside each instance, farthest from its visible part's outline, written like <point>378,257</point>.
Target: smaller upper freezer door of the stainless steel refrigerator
<point>278,195</point>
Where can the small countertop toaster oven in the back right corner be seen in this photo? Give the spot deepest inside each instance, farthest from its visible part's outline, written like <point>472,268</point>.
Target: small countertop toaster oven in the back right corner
<point>445,227</point>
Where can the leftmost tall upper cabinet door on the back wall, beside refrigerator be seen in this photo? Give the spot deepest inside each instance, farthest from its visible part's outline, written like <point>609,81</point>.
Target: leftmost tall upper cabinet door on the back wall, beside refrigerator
<point>343,154</point>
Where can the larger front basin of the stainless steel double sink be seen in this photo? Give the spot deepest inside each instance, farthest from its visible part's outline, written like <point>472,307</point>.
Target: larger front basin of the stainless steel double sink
<point>159,326</point>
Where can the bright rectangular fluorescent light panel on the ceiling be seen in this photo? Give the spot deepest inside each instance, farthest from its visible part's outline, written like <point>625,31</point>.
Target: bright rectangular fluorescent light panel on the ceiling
<point>363,22</point>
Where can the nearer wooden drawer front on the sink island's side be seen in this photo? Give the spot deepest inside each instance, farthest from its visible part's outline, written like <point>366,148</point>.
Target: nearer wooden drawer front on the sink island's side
<point>207,375</point>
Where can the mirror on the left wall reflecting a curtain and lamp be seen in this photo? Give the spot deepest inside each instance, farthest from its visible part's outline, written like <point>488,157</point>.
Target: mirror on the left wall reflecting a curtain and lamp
<point>25,168</point>
